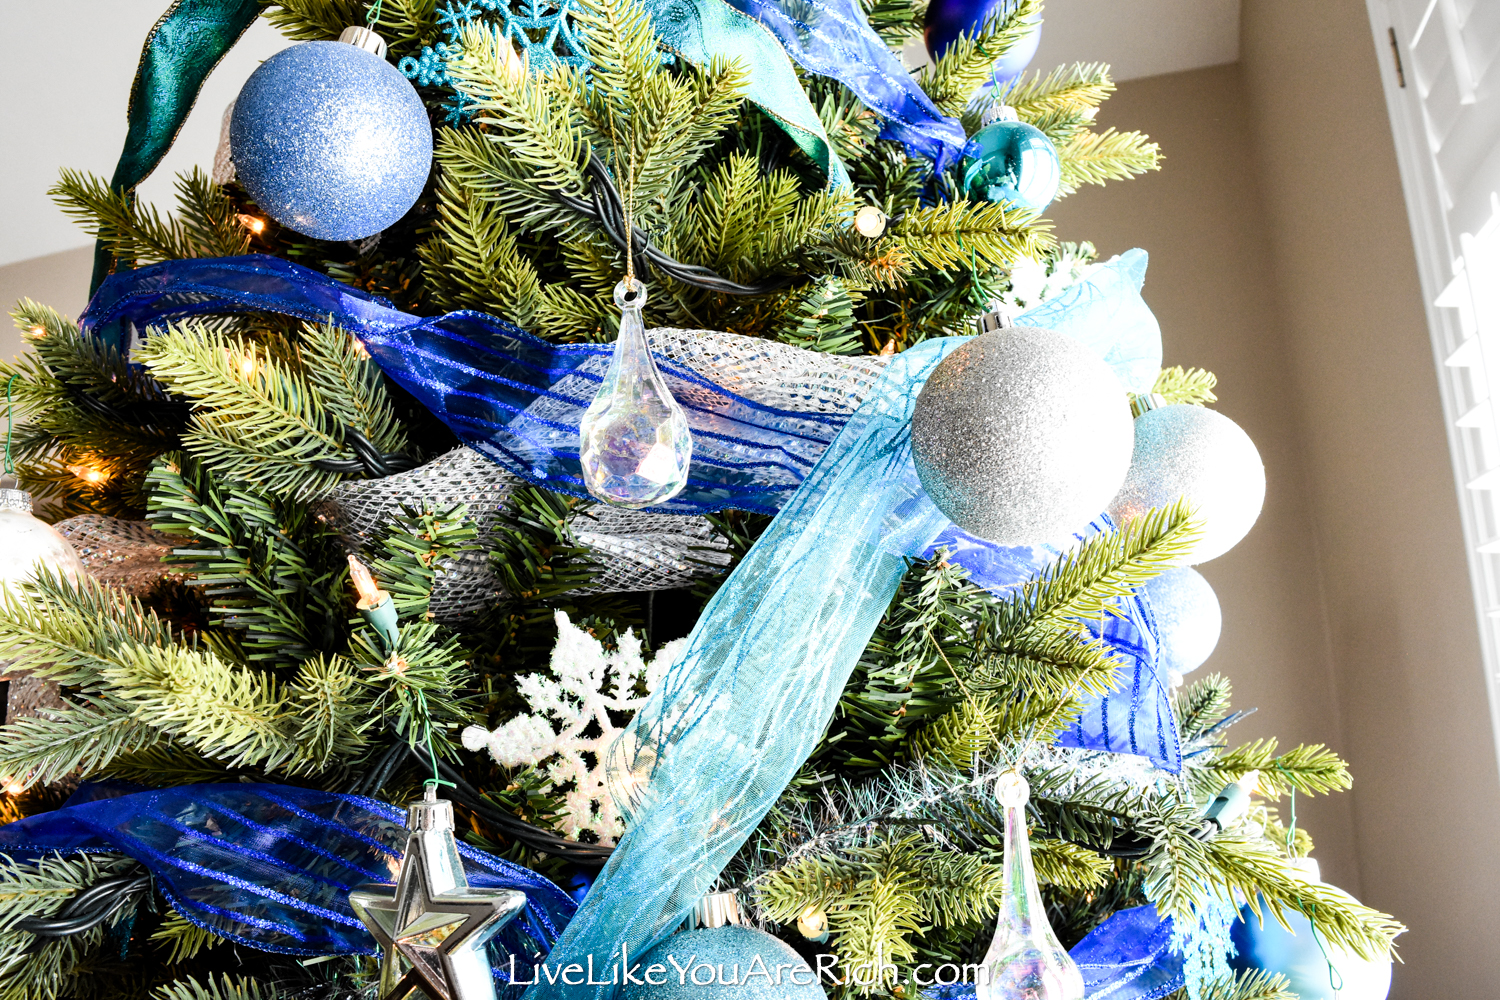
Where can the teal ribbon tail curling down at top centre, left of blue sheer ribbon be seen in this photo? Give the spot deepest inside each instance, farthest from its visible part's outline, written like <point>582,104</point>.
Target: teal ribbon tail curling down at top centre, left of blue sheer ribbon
<point>698,31</point>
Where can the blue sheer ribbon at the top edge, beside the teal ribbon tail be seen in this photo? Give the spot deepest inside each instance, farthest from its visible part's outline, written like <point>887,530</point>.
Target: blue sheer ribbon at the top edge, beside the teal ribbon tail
<point>833,38</point>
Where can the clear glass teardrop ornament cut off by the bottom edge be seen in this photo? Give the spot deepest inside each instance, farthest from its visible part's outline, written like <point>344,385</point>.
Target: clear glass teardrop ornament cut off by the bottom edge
<point>1027,962</point>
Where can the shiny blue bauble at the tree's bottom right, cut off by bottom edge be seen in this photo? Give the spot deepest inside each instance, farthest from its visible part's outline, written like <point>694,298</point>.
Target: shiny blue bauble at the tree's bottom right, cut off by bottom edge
<point>1300,959</point>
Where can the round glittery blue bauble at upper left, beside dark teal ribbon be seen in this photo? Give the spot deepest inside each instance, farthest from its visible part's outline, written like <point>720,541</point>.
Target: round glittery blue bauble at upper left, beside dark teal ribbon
<point>331,142</point>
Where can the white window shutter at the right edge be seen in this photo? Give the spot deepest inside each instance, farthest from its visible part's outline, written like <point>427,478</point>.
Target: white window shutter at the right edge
<point>1441,67</point>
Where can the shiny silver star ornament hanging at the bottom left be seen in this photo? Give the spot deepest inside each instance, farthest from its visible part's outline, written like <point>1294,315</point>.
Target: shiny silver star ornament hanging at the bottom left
<point>433,927</point>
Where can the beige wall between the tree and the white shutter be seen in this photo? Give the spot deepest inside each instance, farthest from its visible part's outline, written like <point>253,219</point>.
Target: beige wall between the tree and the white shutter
<point>1282,260</point>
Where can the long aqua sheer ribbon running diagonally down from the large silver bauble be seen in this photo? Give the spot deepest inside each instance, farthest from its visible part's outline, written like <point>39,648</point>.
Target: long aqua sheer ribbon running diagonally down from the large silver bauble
<point>745,705</point>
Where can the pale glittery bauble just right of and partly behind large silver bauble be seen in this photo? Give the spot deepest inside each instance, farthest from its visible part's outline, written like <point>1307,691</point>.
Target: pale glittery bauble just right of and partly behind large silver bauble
<point>1199,454</point>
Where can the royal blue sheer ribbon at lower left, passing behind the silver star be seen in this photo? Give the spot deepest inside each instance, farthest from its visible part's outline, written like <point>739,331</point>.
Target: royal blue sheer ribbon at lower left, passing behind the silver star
<point>272,866</point>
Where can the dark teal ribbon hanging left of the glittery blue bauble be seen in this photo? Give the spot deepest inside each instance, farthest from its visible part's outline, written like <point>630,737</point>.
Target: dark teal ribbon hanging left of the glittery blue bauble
<point>181,52</point>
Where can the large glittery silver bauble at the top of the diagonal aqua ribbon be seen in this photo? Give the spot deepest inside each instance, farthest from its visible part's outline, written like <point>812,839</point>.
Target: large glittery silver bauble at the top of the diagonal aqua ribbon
<point>1022,436</point>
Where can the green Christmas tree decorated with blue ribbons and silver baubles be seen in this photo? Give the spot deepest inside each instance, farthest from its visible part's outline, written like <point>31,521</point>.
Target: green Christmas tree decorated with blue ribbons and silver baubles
<point>350,530</point>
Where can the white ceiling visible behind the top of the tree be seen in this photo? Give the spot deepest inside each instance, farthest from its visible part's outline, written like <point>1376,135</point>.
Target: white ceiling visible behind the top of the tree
<point>65,100</point>
